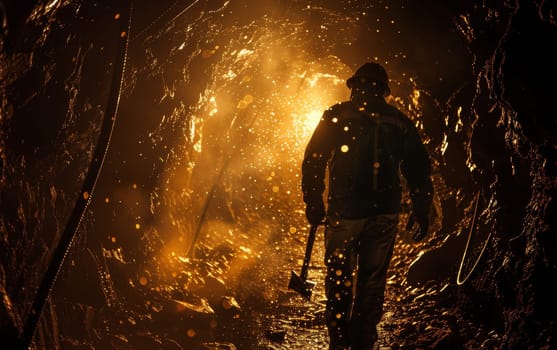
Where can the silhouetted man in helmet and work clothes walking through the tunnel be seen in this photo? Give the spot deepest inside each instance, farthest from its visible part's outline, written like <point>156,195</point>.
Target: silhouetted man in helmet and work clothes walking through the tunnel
<point>365,144</point>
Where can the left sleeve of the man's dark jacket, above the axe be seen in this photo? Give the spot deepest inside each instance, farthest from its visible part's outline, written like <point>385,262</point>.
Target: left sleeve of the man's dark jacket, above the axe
<point>316,156</point>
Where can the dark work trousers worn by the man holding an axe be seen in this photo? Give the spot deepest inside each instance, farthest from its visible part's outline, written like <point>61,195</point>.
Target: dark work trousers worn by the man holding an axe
<point>357,251</point>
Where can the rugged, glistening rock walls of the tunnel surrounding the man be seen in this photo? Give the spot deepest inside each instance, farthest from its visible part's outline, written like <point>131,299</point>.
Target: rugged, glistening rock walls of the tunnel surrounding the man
<point>198,207</point>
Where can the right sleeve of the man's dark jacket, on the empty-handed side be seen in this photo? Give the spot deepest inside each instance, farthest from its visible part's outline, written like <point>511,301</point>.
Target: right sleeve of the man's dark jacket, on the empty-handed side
<point>416,168</point>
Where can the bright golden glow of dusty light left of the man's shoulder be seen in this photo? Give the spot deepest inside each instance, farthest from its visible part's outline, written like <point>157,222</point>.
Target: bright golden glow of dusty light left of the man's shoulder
<point>255,116</point>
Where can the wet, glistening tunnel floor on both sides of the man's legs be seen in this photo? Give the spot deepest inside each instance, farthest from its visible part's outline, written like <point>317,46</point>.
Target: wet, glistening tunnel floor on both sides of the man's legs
<point>240,300</point>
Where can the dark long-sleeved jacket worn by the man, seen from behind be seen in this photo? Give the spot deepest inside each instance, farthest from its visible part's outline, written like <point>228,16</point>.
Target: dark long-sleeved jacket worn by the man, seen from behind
<point>366,149</point>
